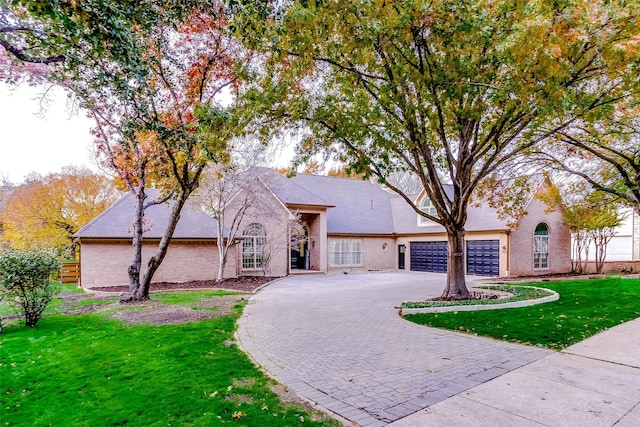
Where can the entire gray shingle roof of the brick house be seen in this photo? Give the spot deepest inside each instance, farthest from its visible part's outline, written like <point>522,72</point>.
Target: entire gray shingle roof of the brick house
<point>353,207</point>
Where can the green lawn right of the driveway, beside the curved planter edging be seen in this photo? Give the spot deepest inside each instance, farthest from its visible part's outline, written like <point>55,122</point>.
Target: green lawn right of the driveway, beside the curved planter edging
<point>585,308</point>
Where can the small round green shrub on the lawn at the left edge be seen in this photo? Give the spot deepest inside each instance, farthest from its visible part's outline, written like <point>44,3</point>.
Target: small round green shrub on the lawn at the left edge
<point>27,281</point>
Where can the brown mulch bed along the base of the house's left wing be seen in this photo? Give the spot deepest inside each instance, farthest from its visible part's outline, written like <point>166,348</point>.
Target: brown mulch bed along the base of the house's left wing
<point>241,284</point>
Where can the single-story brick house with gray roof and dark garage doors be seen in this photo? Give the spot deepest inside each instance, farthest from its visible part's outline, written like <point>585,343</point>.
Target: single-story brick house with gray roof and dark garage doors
<point>326,224</point>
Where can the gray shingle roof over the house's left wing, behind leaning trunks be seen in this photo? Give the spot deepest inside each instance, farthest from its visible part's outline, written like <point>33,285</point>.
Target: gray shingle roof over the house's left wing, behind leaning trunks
<point>117,221</point>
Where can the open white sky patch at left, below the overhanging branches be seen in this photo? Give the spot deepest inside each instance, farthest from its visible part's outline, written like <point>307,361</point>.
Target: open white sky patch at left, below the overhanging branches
<point>43,144</point>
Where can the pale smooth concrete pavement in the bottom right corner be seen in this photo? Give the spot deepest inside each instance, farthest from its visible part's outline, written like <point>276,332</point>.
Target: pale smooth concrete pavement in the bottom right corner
<point>593,383</point>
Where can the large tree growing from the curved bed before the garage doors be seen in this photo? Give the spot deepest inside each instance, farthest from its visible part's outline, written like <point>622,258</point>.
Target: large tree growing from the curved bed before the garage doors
<point>448,90</point>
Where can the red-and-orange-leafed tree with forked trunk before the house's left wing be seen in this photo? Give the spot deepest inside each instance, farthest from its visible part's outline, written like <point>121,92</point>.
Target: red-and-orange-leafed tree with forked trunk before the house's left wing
<point>176,120</point>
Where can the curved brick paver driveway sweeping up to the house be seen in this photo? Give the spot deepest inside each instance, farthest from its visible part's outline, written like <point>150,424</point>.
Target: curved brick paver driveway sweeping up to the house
<point>338,341</point>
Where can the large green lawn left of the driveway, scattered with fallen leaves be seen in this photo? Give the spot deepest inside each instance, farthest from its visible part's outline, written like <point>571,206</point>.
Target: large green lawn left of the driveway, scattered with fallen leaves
<point>91,370</point>
